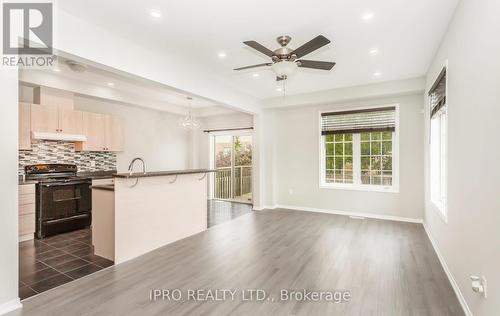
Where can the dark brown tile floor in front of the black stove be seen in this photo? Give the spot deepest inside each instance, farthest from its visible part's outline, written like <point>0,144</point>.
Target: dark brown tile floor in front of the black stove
<point>50,262</point>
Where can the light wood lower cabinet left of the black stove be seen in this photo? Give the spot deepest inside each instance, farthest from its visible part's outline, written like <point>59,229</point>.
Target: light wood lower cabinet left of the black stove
<point>26,212</point>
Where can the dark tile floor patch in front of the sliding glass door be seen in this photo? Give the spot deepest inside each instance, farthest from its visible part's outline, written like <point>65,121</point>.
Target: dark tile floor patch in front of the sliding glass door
<point>220,211</point>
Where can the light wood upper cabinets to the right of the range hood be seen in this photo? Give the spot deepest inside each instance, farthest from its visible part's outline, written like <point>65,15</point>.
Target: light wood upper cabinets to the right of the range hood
<point>104,133</point>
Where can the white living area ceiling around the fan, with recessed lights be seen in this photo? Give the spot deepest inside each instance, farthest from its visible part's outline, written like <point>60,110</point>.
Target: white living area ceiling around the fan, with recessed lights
<point>406,33</point>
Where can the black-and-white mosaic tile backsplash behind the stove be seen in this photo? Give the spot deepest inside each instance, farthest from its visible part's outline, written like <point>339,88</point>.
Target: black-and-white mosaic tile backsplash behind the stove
<point>44,151</point>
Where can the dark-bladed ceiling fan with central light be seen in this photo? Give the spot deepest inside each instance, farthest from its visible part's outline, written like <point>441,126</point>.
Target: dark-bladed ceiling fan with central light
<point>285,60</point>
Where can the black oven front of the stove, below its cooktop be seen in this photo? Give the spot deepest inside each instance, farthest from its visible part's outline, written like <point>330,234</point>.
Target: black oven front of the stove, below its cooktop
<point>63,206</point>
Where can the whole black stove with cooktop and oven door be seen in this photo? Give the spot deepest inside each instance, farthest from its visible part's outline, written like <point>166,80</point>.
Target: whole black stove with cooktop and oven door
<point>63,200</point>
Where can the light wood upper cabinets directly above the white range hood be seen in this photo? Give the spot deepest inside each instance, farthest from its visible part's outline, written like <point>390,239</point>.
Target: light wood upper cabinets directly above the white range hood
<point>55,119</point>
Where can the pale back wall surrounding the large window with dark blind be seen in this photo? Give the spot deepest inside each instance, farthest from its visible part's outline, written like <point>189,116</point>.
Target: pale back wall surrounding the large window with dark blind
<point>296,160</point>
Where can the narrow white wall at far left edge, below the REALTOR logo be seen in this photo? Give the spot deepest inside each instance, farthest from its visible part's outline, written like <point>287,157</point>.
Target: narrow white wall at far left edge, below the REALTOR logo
<point>9,192</point>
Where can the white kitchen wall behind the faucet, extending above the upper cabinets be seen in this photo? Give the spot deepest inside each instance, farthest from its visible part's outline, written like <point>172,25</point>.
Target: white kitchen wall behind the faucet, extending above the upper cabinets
<point>152,135</point>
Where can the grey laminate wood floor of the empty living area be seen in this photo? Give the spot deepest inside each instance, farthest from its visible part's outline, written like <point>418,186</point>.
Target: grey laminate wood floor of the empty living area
<point>389,268</point>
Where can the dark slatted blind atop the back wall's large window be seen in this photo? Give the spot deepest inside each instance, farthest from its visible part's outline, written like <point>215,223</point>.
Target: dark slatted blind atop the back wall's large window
<point>359,121</point>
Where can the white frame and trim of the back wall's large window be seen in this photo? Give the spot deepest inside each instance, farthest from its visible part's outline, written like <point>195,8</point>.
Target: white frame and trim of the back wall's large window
<point>356,171</point>
